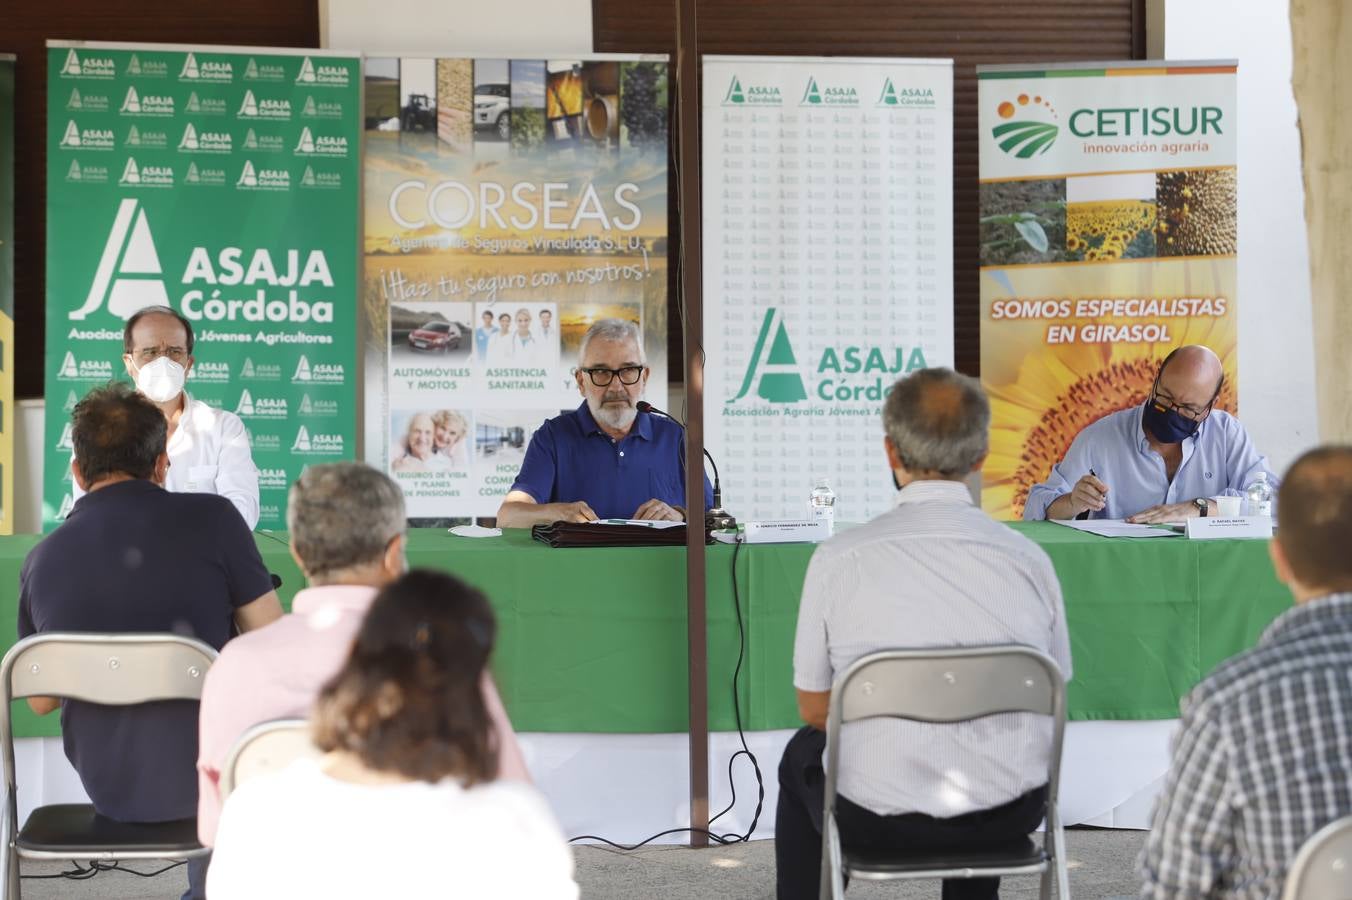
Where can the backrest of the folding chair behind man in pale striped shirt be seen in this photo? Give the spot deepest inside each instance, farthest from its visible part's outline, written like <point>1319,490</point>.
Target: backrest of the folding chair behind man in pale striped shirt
<point>947,686</point>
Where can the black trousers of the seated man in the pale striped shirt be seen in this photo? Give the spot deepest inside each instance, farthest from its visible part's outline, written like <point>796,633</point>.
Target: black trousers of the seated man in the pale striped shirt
<point>798,826</point>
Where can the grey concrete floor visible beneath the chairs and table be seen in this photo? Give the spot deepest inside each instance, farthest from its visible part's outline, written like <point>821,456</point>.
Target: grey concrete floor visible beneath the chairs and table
<point>1103,867</point>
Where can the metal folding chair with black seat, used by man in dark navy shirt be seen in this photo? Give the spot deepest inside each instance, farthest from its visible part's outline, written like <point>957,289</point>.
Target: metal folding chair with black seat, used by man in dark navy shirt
<point>113,670</point>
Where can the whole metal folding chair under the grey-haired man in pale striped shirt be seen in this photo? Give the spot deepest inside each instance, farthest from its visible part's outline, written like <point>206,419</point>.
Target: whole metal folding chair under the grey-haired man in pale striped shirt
<point>947,686</point>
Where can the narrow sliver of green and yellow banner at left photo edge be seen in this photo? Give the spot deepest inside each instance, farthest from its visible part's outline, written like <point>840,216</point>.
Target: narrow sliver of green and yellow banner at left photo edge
<point>7,410</point>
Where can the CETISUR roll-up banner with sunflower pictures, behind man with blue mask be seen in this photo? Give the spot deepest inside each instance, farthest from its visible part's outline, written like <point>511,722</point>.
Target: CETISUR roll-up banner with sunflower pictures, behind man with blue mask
<point>1108,230</point>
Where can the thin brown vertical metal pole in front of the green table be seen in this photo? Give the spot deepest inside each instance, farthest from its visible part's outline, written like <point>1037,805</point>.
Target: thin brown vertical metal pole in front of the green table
<point>687,160</point>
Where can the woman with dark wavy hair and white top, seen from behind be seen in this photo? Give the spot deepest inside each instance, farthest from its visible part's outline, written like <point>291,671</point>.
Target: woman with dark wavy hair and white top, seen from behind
<point>402,805</point>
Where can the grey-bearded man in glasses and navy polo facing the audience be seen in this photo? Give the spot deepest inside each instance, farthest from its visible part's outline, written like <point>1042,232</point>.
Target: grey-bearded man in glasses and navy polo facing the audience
<point>605,460</point>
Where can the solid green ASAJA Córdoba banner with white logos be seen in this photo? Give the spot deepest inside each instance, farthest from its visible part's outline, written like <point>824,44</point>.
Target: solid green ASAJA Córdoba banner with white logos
<point>222,183</point>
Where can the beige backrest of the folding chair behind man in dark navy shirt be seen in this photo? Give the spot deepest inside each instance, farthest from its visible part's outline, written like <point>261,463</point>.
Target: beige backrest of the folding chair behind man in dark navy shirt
<point>114,670</point>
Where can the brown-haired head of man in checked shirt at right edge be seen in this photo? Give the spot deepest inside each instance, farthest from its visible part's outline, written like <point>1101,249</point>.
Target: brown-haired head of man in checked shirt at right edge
<point>1316,506</point>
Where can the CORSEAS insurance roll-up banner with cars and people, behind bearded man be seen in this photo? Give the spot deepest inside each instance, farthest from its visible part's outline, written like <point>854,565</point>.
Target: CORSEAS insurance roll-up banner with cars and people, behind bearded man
<point>510,205</point>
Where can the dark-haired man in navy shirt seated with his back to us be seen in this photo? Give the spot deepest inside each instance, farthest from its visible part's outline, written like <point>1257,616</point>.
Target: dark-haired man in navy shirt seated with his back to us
<point>136,557</point>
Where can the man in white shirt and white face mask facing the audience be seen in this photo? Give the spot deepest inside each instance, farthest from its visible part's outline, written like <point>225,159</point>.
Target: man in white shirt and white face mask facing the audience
<point>209,448</point>
